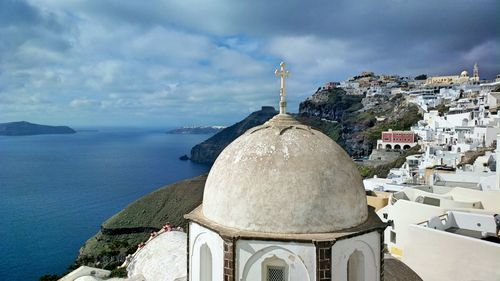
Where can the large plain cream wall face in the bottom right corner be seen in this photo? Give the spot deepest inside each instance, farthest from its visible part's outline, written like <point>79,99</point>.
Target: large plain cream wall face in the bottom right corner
<point>437,255</point>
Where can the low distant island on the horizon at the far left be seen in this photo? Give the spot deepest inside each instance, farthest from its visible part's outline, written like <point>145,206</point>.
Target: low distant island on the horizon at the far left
<point>23,128</point>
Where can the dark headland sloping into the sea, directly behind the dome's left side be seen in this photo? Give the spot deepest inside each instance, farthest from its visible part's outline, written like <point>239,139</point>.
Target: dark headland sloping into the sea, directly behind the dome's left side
<point>207,151</point>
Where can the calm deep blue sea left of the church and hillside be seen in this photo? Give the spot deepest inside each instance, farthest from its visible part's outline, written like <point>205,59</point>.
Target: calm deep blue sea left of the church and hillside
<point>56,190</point>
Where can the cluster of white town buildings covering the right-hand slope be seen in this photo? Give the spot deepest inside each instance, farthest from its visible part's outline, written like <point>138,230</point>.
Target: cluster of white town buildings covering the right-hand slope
<point>441,202</point>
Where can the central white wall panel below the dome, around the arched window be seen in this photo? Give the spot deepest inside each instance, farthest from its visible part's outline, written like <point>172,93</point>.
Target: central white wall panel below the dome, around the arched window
<point>299,257</point>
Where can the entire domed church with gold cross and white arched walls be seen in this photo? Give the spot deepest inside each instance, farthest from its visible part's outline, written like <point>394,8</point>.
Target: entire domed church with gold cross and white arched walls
<point>284,202</point>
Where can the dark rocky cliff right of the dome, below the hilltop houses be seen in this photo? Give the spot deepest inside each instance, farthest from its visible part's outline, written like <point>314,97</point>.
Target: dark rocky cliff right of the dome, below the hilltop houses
<point>356,127</point>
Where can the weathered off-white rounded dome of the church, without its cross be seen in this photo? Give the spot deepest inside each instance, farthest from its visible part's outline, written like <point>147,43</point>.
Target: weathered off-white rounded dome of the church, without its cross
<point>284,177</point>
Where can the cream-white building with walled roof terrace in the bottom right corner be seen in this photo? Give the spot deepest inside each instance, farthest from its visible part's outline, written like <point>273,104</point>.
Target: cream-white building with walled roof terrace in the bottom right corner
<point>454,246</point>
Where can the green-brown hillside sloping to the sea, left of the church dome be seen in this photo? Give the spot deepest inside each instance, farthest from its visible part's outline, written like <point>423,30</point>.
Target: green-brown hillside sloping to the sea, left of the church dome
<point>121,233</point>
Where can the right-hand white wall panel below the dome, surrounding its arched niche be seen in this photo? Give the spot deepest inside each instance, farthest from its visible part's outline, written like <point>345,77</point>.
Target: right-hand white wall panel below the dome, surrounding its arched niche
<point>368,244</point>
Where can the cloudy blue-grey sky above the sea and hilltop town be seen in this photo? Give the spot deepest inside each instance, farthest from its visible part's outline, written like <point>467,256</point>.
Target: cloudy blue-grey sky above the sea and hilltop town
<point>170,63</point>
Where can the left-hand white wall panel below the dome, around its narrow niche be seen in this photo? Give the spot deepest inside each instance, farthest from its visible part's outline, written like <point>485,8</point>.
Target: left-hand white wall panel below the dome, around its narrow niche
<point>198,236</point>
